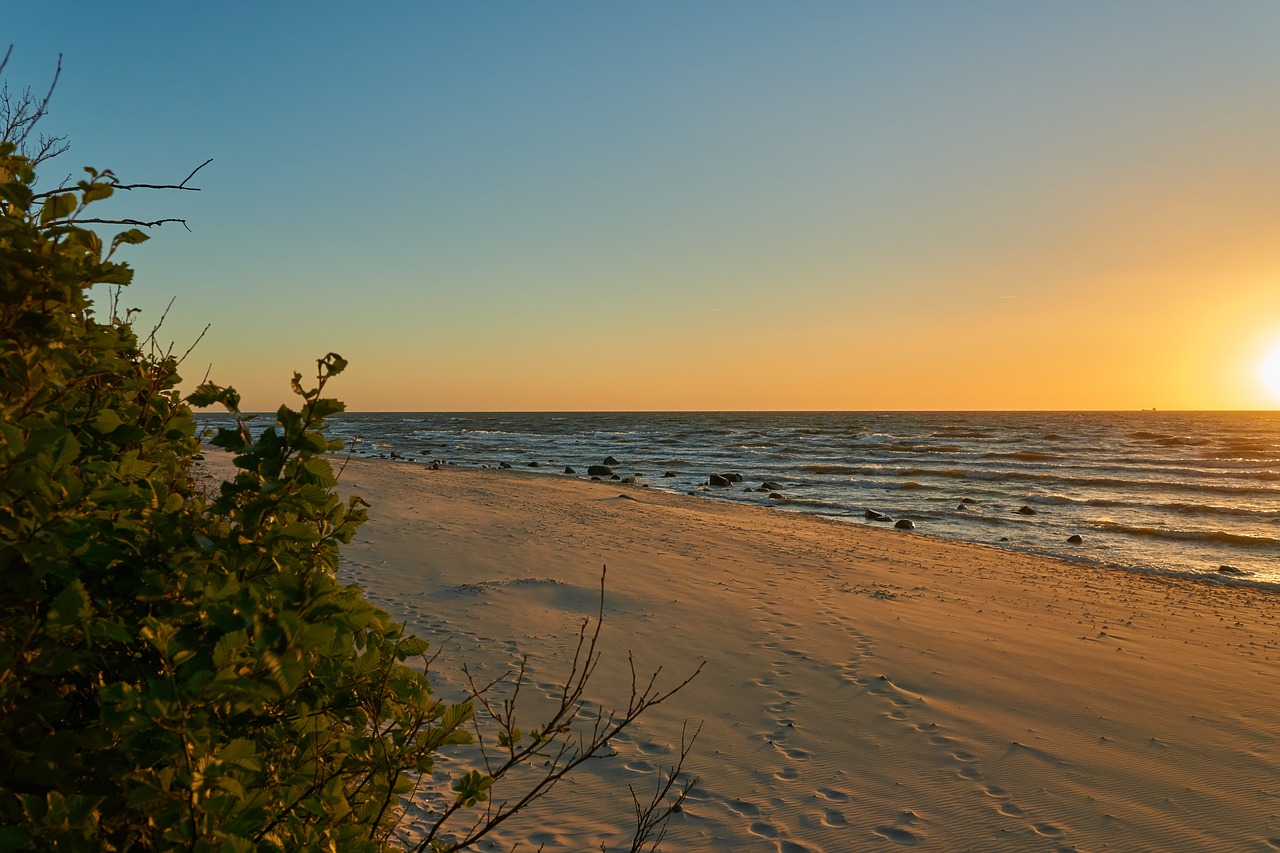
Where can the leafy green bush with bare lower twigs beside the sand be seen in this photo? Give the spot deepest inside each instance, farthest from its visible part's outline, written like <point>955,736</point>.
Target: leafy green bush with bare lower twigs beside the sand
<point>180,668</point>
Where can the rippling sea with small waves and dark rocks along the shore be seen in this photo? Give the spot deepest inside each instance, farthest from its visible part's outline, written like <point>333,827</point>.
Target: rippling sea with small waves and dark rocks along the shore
<point>1195,495</point>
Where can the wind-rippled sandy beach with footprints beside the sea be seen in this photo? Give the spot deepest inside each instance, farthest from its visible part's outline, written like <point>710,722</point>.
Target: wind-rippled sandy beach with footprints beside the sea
<point>863,688</point>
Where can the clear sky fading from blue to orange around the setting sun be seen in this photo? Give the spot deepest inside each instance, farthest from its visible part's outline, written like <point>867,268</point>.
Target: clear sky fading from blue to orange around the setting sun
<point>627,207</point>
